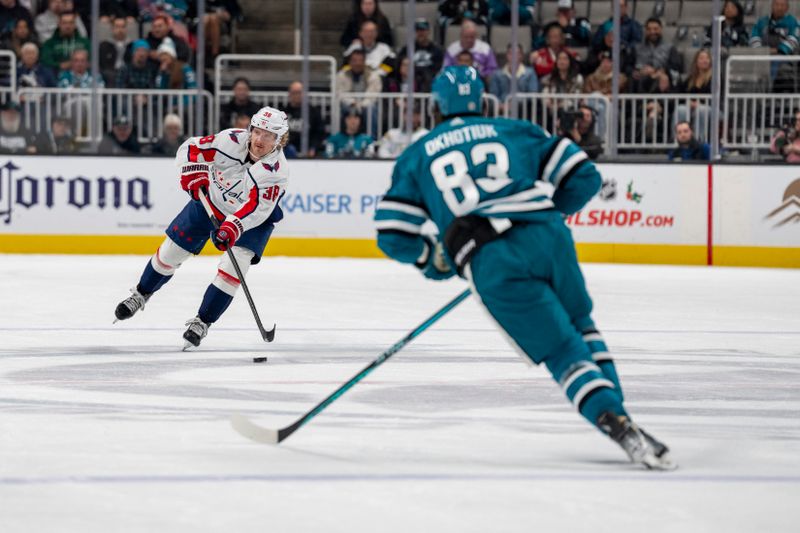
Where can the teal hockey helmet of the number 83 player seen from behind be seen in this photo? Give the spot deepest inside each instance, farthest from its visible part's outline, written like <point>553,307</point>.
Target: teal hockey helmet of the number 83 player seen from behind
<point>458,90</point>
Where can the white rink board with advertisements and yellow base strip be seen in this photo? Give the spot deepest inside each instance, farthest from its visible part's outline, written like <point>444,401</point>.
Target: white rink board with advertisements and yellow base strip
<point>669,214</point>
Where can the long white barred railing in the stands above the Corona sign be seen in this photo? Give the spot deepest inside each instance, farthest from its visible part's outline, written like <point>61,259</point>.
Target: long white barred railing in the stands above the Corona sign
<point>144,108</point>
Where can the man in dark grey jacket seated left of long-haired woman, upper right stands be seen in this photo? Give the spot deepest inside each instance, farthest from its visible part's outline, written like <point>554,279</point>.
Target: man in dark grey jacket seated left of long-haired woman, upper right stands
<point>655,58</point>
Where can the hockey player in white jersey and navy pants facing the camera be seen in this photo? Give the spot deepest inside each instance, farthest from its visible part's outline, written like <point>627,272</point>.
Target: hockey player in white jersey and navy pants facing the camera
<point>244,175</point>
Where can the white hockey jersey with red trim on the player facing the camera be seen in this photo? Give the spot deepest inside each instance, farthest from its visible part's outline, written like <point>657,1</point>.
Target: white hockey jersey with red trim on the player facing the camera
<point>244,193</point>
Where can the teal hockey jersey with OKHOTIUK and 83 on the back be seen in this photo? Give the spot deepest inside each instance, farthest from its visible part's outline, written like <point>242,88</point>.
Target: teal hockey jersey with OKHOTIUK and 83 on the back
<point>492,167</point>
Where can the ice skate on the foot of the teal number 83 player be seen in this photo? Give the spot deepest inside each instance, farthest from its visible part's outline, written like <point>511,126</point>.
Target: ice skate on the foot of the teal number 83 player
<point>640,447</point>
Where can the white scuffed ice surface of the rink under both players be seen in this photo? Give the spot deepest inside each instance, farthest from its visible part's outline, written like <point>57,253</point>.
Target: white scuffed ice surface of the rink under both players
<point>112,428</point>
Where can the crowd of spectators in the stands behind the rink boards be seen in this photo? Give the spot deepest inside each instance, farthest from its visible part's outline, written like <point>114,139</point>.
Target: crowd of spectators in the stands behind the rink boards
<point>150,44</point>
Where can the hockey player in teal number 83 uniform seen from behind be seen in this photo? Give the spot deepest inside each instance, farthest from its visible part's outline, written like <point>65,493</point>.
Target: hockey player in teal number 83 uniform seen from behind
<point>498,190</point>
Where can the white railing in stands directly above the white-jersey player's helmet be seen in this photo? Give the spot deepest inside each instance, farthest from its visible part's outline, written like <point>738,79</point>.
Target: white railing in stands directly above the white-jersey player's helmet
<point>228,67</point>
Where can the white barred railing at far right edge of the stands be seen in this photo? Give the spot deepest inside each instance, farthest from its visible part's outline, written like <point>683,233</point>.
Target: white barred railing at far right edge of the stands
<point>762,94</point>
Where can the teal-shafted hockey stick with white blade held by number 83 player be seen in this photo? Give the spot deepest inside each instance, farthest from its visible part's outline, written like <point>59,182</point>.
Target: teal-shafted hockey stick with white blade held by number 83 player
<point>274,436</point>
